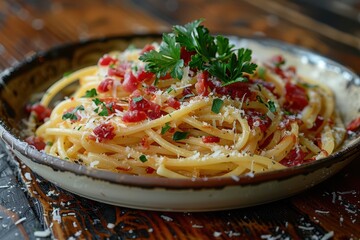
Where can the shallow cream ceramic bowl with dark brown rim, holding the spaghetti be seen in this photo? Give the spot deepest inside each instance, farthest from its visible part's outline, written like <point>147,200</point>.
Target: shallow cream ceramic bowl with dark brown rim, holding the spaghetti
<point>37,73</point>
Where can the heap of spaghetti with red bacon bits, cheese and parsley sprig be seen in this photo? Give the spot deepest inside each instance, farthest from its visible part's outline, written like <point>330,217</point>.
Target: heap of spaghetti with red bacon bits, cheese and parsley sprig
<point>192,106</point>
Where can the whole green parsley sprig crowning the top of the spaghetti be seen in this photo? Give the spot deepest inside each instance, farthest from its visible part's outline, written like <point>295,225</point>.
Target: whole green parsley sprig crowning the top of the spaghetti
<point>213,54</point>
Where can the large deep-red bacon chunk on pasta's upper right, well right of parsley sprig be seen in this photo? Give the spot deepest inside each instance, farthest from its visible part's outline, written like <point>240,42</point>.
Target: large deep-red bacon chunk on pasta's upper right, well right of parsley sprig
<point>296,98</point>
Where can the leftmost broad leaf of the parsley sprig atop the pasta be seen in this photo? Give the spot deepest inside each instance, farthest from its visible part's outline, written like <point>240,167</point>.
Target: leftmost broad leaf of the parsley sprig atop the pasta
<point>166,60</point>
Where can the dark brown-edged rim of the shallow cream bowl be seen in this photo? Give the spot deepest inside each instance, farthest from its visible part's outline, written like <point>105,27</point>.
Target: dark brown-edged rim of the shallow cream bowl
<point>169,183</point>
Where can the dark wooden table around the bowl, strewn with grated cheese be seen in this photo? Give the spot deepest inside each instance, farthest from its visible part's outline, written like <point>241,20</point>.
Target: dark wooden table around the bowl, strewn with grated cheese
<point>31,207</point>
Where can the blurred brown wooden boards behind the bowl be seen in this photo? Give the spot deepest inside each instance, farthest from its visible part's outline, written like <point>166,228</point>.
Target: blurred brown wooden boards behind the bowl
<point>329,27</point>
